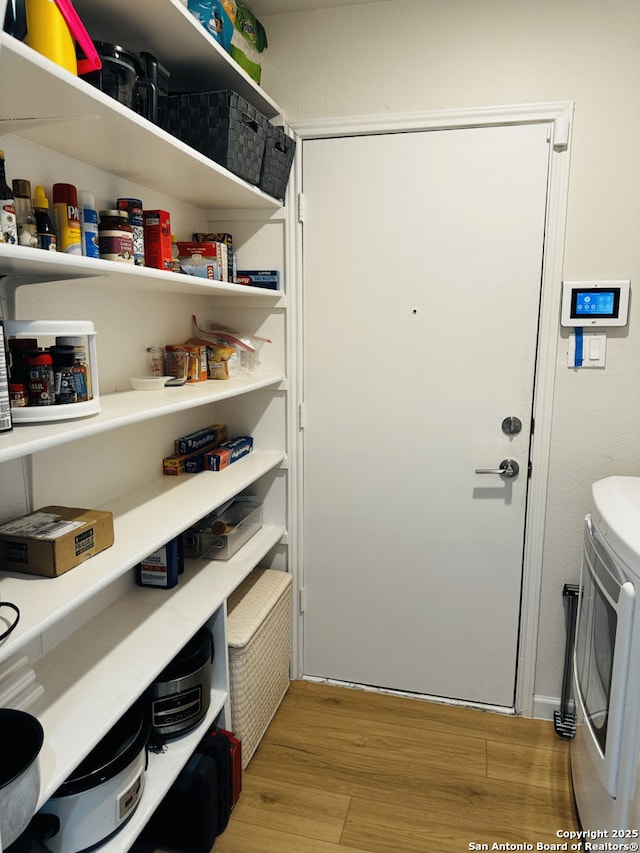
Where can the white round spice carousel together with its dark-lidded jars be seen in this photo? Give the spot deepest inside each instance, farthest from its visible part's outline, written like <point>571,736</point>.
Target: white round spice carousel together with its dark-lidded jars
<point>76,338</point>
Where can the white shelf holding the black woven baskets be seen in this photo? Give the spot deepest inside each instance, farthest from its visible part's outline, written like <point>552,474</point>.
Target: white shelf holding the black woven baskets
<point>66,114</point>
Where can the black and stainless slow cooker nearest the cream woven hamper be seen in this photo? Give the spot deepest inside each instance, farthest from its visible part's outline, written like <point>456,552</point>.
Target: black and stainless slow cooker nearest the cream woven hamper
<point>181,694</point>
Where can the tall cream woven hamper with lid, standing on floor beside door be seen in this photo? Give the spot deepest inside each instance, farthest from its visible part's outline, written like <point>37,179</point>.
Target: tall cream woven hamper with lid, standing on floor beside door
<point>258,635</point>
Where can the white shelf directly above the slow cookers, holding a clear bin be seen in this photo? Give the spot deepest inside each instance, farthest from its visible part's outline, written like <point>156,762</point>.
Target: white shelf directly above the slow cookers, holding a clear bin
<point>89,670</point>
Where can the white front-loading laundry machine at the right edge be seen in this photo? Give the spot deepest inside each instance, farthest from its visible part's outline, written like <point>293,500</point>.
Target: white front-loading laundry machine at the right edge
<point>605,752</point>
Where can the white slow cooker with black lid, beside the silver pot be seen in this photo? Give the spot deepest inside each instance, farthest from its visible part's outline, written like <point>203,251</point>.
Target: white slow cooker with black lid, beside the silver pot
<point>104,791</point>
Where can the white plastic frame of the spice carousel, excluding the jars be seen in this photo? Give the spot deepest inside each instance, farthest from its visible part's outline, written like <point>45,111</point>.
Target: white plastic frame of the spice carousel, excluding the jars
<point>46,331</point>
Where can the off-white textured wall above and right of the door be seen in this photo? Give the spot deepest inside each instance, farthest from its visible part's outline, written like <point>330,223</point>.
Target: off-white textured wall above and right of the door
<point>420,55</point>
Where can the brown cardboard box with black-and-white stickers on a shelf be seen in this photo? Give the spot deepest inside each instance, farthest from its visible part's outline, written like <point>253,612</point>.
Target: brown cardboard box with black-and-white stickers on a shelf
<point>54,539</point>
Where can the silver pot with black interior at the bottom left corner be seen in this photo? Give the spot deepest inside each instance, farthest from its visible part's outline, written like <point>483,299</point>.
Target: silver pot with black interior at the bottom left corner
<point>21,739</point>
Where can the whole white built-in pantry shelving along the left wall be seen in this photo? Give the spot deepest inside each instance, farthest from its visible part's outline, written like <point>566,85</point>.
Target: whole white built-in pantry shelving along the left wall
<point>122,635</point>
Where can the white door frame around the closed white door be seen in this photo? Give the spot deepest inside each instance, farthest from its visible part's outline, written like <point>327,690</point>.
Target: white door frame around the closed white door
<point>558,116</point>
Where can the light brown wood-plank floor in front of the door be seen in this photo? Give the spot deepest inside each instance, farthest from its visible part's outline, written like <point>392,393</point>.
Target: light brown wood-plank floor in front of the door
<point>347,770</point>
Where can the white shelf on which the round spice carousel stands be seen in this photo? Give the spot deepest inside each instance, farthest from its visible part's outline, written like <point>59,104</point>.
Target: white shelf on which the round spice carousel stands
<point>123,408</point>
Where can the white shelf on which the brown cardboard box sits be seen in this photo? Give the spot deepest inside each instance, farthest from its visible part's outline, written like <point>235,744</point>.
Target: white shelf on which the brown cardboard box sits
<point>144,519</point>
